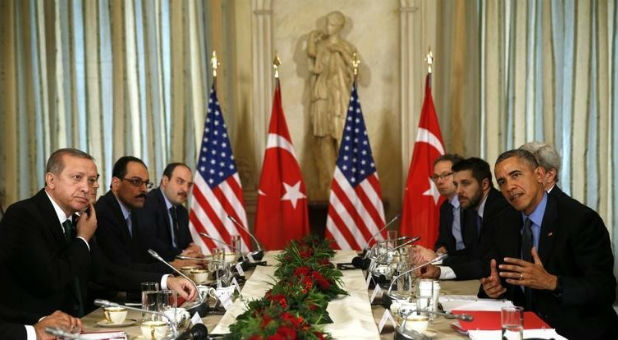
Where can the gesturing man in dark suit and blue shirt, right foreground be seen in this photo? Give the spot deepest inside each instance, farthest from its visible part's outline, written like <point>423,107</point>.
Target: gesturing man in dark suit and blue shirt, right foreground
<point>556,260</point>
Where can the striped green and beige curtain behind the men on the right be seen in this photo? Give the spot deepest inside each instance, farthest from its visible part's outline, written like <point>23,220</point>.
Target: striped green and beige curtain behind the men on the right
<point>514,71</point>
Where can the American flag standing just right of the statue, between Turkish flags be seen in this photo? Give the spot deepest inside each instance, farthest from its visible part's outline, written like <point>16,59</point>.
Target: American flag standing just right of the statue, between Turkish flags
<point>355,211</point>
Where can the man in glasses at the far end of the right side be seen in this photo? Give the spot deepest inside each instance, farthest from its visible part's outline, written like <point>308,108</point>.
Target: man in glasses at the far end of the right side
<point>450,238</point>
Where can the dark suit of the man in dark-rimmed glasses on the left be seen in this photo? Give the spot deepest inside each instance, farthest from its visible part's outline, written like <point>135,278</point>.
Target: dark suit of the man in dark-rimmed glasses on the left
<point>117,243</point>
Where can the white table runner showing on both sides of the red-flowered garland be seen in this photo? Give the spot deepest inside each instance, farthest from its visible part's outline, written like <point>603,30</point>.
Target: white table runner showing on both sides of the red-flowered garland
<point>352,315</point>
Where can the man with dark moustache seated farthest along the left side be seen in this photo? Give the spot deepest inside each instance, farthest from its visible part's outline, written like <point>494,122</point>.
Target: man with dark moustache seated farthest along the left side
<point>164,221</point>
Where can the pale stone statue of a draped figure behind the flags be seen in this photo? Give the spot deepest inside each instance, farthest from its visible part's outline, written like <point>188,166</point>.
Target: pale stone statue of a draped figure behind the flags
<point>332,75</point>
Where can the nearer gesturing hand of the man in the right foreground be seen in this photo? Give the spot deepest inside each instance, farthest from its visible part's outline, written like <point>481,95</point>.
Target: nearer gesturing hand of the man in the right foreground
<point>521,273</point>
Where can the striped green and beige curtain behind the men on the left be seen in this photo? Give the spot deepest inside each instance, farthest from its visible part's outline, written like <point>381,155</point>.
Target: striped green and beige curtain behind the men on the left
<point>110,77</point>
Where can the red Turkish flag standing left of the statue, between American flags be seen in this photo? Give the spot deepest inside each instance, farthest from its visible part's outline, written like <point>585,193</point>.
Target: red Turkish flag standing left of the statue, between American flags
<point>282,213</point>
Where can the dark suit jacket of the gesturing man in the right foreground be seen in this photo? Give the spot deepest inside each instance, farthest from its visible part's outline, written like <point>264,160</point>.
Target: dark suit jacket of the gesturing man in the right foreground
<point>574,245</point>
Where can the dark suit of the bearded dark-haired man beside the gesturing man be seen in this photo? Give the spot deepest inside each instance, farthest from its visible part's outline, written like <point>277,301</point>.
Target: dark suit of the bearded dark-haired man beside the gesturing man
<point>468,263</point>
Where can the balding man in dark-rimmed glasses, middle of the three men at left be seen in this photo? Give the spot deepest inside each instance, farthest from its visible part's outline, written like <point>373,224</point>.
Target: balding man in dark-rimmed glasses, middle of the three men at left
<point>119,234</point>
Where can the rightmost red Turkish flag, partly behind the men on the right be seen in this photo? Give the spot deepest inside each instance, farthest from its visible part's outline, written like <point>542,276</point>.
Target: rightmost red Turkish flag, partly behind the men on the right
<point>421,203</point>
